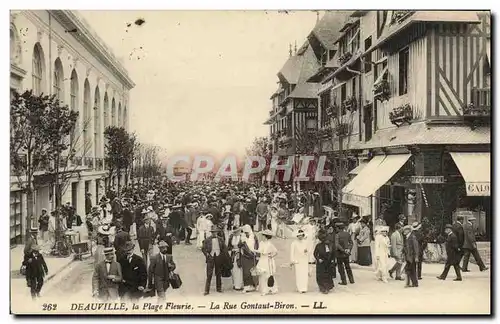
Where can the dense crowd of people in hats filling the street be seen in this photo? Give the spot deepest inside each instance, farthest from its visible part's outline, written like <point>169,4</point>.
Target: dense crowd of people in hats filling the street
<point>235,226</point>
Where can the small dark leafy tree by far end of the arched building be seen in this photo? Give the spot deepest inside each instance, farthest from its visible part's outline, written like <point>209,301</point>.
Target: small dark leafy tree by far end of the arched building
<point>119,151</point>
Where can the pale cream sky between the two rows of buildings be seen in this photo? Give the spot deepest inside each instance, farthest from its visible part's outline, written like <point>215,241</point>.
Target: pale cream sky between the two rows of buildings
<point>203,78</point>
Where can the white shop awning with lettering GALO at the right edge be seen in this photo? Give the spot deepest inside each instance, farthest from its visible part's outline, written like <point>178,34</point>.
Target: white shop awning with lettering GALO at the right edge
<point>475,169</point>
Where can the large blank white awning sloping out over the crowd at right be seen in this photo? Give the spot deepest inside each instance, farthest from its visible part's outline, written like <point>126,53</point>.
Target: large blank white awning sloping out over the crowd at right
<point>378,171</point>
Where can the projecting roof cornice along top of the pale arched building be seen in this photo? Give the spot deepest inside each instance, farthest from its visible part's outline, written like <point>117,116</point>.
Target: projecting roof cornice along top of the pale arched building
<point>70,20</point>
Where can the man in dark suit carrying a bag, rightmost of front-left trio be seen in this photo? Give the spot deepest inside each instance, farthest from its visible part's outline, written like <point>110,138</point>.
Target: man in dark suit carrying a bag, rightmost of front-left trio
<point>159,271</point>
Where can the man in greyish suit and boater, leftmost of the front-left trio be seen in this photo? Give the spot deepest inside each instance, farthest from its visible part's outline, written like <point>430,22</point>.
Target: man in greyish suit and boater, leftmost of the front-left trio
<point>107,277</point>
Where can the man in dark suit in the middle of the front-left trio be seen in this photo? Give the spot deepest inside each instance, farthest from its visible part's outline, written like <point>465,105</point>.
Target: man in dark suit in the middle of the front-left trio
<point>134,274</point>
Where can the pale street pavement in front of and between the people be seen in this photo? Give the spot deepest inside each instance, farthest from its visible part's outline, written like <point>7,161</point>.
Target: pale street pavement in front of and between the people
<point>366,296</point>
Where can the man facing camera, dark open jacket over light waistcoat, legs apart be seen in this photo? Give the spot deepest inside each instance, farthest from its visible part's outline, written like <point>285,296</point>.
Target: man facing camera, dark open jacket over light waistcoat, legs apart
<point>214,249</point>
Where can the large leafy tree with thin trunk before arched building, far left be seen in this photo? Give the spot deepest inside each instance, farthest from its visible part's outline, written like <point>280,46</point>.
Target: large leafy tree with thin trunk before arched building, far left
<point>38,126</point>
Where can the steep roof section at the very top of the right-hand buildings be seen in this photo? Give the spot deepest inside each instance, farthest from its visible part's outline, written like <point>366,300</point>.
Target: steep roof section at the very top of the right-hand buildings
<point>327,29</point>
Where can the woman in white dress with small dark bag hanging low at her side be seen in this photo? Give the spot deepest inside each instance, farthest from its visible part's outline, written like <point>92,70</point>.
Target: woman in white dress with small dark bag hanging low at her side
<point>266,267</point>
